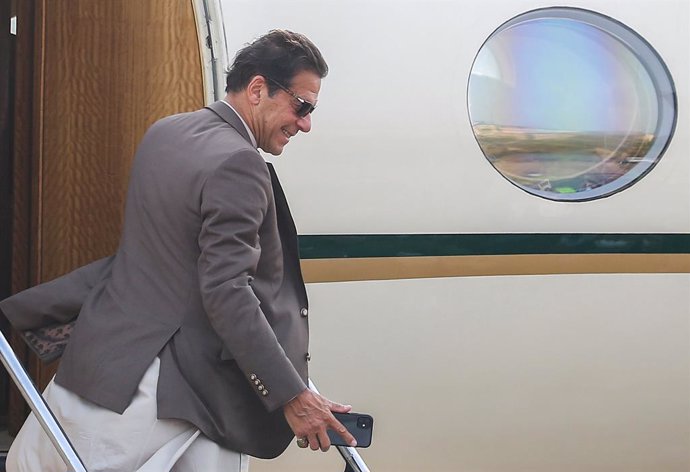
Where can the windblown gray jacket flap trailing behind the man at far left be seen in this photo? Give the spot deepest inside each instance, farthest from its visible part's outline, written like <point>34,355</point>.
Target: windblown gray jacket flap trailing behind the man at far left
<point>56,302</point>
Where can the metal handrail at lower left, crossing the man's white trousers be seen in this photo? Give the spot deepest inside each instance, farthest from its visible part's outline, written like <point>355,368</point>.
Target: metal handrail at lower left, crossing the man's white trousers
<point>39,407</point>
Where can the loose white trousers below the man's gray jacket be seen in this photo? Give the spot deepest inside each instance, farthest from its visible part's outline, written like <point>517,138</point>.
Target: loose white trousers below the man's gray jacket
<point>136,441</point>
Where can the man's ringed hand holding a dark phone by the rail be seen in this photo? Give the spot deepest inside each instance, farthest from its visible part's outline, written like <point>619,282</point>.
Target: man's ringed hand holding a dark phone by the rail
<point>309,415</point>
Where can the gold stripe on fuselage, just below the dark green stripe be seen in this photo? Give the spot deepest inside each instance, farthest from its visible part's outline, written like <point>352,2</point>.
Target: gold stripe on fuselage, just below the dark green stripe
<point>391,268</point>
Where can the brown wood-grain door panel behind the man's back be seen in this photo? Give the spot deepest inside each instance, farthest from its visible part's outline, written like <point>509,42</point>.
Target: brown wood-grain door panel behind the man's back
<point>101,72</point>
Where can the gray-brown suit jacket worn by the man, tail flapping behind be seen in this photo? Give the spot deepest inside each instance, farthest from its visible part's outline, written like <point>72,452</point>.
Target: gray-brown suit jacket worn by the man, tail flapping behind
<point>206,277</point>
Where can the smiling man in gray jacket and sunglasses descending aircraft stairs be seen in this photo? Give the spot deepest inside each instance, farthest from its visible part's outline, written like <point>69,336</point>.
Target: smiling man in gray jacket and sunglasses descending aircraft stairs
<point>191,341</point>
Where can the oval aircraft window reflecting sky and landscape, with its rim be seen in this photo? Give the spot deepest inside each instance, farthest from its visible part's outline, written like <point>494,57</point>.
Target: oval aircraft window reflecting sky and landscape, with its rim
<point>570,105</point>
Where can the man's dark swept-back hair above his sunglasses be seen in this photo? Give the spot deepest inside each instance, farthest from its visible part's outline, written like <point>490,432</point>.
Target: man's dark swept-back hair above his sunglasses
<point>279,55</point>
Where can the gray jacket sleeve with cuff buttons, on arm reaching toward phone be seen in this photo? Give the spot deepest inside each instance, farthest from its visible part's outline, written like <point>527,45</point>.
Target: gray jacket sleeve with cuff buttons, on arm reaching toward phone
<point>234,203</point>
